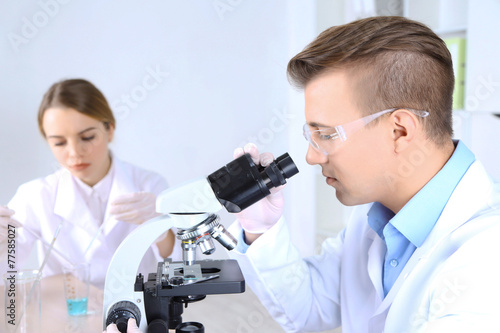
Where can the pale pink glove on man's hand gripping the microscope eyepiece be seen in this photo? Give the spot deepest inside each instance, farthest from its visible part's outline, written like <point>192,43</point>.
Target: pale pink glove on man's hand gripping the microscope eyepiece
<point>262,215</point>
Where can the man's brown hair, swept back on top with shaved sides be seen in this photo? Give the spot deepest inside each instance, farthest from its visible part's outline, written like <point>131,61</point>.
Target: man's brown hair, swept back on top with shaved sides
<point>393,62</point>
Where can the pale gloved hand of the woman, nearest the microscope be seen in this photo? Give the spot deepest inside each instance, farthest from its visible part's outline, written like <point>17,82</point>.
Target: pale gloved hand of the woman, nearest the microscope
<point>134,208</point>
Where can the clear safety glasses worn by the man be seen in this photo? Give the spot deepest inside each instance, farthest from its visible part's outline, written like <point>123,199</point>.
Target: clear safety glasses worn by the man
<point>323,140</point>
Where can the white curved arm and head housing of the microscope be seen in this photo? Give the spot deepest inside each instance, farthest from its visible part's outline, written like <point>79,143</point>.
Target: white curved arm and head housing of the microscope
<point>183,208</point>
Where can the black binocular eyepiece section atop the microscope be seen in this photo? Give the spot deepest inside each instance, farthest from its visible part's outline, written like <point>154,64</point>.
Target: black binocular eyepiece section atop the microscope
<point>241,183</point>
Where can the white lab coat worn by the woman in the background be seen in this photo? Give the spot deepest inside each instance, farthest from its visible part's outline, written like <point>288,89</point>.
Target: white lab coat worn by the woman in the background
<point>42,203</point>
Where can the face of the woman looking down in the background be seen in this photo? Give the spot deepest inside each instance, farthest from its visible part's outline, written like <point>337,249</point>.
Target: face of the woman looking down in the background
<point>79,143</point>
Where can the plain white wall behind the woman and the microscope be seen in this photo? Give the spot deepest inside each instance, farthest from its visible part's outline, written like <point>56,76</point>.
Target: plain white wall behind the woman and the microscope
<point>189,81</point>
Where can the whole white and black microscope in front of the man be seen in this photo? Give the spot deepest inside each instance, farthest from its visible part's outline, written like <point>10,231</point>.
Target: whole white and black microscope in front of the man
<point>156,301</point>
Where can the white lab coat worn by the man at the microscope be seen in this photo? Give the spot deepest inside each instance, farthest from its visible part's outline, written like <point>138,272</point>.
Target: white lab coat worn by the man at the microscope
<point>450,284</point>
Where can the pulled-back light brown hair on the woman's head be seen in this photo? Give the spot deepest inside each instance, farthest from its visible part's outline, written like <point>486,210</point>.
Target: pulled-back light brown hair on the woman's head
<point>80,95</point>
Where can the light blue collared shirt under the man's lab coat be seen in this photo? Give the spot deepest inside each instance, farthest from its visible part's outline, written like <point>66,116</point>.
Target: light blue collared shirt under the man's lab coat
<point>408,229</point>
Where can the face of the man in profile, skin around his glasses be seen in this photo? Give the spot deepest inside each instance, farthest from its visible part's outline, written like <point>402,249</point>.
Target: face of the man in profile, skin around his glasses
<point>357,168</point>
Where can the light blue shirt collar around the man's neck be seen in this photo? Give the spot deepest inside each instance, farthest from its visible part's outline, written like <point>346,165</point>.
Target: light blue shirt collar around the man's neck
<point>417,218</point>
